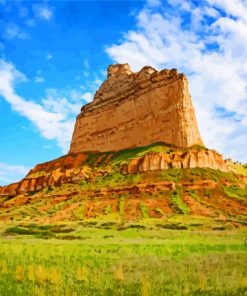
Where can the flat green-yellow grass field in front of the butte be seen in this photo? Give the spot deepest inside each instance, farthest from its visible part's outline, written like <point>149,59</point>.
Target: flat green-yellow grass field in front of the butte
<point>85,260</point>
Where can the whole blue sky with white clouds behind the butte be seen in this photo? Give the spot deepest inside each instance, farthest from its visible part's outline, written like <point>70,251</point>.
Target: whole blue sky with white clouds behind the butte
<point>54,56</point>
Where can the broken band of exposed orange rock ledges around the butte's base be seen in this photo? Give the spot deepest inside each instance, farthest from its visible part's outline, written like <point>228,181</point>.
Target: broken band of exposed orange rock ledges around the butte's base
<point>75,168</point>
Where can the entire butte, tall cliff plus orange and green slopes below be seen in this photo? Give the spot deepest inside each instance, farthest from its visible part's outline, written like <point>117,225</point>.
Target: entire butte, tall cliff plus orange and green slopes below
<point>136,153</point>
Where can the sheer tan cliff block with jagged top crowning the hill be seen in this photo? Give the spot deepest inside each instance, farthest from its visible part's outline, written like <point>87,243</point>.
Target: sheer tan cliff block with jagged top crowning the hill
<point>137,109</point>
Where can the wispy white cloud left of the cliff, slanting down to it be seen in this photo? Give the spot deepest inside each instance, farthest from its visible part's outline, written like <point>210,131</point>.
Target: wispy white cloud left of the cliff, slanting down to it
<point>54,117</point>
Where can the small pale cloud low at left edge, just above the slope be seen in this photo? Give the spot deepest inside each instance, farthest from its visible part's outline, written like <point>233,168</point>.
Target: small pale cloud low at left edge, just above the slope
<point>11,172</point>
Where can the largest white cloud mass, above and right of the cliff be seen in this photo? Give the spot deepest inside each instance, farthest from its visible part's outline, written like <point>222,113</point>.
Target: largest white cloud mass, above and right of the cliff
<point>209,43</point>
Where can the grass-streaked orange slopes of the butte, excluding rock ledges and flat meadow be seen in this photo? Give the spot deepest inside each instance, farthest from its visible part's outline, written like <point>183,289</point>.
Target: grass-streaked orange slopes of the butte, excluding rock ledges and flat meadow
<point>107,194</point>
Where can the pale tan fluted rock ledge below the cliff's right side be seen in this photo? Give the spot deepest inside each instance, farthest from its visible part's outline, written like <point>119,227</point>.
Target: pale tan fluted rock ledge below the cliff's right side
<point>162,161</point>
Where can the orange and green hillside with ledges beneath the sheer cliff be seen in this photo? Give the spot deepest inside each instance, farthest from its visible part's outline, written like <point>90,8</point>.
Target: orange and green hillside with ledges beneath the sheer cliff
<point>132,185</point>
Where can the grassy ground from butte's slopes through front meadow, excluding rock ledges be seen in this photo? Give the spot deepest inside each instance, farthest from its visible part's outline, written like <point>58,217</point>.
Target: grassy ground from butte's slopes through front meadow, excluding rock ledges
<point>163,232</point>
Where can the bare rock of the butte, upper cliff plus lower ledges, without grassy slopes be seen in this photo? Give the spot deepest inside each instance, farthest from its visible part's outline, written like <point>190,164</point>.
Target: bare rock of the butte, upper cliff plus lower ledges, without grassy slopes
<point>129,110</point>
